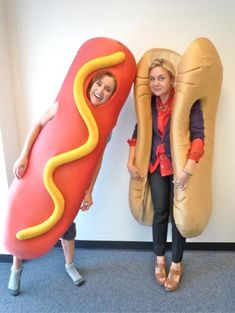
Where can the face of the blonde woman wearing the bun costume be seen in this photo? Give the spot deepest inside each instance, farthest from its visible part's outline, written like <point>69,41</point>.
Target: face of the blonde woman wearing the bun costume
<point>160,82</point>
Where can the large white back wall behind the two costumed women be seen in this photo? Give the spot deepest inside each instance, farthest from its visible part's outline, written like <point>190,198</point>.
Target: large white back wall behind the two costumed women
<point>44,37</point>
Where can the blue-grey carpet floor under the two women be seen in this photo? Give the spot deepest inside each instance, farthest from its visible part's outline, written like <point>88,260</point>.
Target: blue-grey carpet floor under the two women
<point>121,281</point>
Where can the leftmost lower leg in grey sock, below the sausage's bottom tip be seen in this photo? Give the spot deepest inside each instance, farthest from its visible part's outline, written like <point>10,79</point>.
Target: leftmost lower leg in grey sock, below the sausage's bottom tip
<point>14,281</point>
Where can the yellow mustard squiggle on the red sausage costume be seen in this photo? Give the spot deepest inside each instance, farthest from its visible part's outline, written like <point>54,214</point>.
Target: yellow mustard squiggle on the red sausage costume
<point>88,147</point>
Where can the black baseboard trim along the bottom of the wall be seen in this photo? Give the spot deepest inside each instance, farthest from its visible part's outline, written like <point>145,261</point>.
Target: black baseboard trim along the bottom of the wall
<point>139,245</point>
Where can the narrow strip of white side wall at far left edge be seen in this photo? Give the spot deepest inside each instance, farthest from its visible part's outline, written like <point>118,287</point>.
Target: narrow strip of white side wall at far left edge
<point>9,139</point>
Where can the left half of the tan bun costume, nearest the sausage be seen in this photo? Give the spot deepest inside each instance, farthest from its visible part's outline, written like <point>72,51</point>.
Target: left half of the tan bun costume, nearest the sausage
<point>140,201</point>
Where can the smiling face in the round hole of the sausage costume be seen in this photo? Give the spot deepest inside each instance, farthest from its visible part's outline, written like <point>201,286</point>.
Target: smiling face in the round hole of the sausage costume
<point>101,90</point>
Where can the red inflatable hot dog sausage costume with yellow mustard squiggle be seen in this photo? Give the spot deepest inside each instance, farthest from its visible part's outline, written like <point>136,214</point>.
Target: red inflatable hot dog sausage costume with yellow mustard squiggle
<point>44,203</point>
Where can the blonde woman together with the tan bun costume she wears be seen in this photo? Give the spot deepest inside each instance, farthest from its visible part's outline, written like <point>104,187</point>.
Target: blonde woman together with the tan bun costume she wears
<point>172,99</point>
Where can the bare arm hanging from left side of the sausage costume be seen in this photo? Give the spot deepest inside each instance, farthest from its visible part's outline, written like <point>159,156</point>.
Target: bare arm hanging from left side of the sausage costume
<point>21,163</point>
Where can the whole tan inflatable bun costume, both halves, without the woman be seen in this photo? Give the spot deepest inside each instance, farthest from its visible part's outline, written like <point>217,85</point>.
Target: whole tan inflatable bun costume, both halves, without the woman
<point>199,76</point>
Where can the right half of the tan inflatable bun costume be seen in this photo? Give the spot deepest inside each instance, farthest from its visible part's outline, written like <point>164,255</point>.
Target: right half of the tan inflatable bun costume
<point>199,76</point>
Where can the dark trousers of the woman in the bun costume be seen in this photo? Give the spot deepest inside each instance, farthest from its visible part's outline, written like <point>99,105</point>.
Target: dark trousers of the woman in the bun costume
<point>162,191</point>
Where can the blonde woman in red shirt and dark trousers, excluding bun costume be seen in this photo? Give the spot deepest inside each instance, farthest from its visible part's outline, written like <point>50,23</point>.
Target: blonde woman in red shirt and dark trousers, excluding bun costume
<point>161,82</point>
